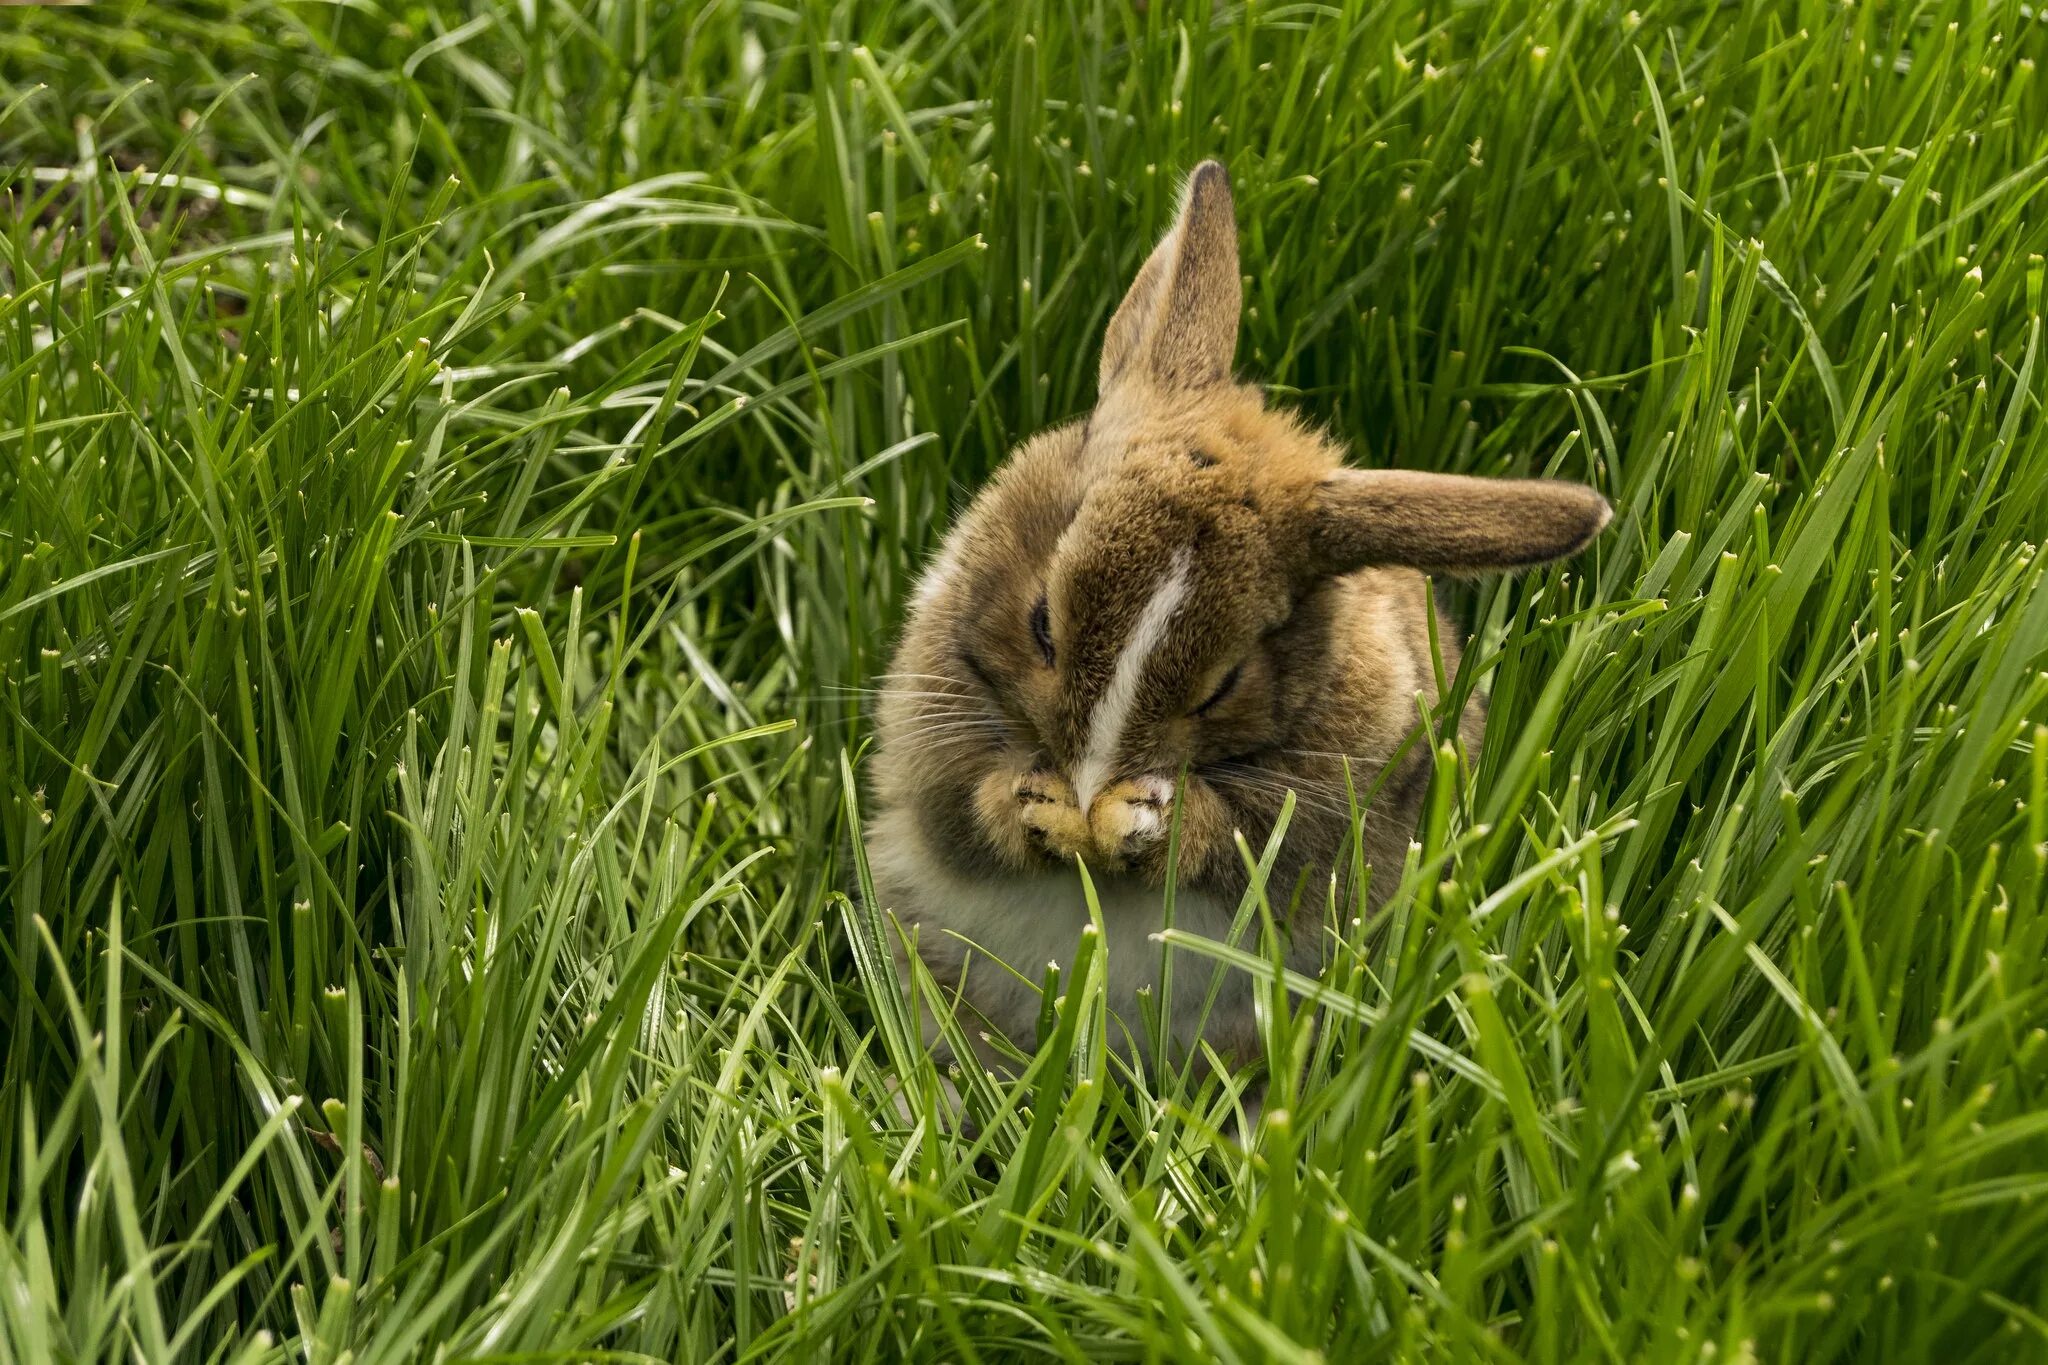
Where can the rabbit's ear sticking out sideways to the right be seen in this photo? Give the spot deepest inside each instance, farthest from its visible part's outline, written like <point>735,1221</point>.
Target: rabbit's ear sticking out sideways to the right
<point>1447,523</point>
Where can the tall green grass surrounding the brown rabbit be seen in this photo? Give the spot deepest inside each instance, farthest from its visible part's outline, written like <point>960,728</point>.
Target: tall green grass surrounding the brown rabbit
<point>460,466</point>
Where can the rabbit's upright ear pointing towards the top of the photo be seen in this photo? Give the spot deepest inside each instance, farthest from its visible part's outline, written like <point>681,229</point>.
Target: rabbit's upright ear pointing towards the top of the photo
<point>1179,324</point>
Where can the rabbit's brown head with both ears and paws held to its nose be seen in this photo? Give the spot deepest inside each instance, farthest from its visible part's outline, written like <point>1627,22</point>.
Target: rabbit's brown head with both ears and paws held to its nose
<point>1154,590</point>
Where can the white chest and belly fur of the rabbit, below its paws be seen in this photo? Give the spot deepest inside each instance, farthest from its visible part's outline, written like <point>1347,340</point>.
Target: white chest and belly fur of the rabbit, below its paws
<point>992,938</point>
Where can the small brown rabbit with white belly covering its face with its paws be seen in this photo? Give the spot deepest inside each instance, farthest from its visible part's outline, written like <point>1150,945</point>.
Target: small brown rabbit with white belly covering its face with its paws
<point>1187,580</point>
